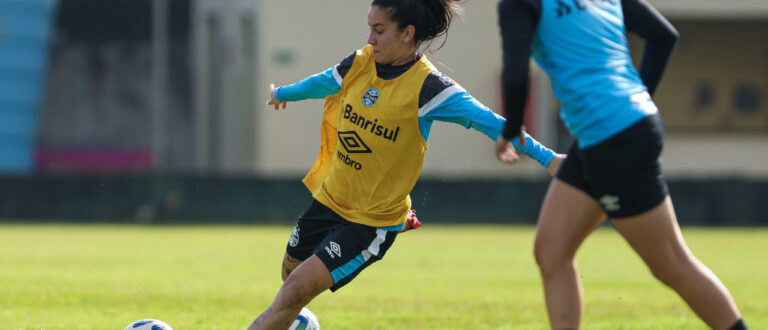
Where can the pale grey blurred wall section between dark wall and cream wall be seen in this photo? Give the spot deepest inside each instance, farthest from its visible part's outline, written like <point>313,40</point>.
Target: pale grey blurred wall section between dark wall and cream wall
<point>224,47</point>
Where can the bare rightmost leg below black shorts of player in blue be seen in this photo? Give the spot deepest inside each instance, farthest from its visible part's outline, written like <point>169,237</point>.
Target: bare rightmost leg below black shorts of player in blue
<point>656,237</point>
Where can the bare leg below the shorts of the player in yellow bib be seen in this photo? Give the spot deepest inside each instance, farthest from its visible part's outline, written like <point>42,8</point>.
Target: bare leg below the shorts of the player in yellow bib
<point>307,281</point>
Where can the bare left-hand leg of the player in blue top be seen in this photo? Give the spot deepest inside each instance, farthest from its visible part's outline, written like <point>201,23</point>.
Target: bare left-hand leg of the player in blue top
<point>568,215</point>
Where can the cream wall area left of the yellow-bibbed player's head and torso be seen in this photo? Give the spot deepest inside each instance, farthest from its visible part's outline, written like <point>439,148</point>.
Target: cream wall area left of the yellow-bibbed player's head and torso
<point>316,35</point>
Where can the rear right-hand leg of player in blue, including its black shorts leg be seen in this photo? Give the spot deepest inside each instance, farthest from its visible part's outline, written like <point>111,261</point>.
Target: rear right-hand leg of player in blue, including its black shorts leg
<point>628,179</point>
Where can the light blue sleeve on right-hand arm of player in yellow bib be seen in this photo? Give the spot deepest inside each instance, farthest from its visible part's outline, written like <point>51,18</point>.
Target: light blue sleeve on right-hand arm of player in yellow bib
<point>454,104</point>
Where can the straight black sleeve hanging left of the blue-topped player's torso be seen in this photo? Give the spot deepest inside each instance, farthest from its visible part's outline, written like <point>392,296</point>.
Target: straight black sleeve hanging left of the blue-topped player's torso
<point>518,20</point>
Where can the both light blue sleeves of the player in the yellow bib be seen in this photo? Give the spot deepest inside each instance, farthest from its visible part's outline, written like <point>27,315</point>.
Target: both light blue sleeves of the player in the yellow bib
<point>453,104</point>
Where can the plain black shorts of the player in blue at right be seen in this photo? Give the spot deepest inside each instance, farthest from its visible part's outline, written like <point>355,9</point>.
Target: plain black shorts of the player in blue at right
<point>622,173</point>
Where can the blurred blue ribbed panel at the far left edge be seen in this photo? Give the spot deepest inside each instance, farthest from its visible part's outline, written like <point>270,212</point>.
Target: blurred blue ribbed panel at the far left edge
<point>24,35</point>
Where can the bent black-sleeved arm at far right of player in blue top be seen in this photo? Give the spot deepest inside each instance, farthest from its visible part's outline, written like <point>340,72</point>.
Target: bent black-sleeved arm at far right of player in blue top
<point>660,37</point>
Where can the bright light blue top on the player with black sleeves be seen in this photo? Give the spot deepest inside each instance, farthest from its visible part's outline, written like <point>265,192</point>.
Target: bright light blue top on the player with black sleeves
<point>582,45</point>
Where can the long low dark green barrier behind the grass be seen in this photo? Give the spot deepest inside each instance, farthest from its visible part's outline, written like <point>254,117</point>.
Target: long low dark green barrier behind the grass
<point>176,199</point>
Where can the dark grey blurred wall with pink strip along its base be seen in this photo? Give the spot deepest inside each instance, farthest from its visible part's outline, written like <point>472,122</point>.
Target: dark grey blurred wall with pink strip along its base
<point>103,93</point>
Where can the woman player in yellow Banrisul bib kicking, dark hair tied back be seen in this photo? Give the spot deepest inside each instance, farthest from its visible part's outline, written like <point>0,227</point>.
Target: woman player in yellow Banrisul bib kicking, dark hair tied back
<point>381,101</point>
